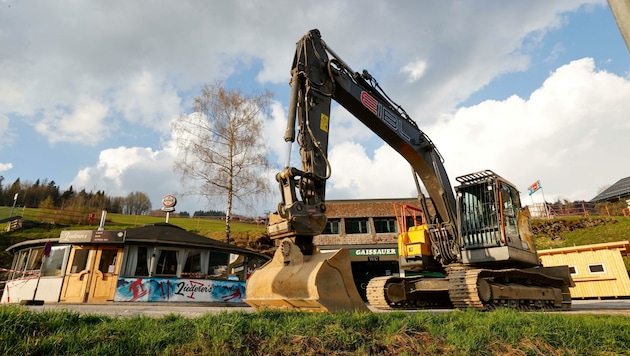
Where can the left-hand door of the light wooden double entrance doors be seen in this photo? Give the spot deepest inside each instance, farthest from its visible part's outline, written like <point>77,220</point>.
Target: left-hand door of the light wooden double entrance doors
<point>78,273</point>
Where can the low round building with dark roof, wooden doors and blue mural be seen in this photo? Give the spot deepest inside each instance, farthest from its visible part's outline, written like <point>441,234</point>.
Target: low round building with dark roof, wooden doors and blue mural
<point>153,263</point>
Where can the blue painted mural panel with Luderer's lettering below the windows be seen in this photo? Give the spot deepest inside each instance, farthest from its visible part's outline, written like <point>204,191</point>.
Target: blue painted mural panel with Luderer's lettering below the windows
<point>178,290</point>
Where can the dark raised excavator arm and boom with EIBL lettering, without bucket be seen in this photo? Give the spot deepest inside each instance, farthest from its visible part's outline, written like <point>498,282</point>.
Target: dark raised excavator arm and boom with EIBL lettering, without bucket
<point>318,77</point>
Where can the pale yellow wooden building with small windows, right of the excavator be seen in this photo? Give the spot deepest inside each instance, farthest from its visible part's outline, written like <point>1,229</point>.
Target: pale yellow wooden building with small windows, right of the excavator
<point>597,270</point>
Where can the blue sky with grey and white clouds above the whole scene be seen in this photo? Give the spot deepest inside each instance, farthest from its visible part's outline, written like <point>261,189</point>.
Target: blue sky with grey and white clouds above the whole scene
<point>534,90</point>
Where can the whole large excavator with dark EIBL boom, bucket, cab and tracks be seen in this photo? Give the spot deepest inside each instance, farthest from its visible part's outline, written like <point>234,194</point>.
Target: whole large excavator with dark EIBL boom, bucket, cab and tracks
<point>474,250</point>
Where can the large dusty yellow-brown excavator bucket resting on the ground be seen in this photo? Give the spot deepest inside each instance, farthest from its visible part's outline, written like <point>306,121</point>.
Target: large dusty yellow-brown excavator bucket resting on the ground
<point>321,282</point>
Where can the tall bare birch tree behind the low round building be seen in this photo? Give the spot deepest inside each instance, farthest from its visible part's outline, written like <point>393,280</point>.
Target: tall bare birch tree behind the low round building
<point>222,148</point>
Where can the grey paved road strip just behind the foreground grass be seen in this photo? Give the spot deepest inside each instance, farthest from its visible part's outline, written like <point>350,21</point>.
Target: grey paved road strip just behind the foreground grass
<point>612,307</point>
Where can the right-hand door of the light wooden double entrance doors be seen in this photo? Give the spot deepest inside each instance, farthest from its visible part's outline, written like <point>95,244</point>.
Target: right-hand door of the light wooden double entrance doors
<point>105,276</point>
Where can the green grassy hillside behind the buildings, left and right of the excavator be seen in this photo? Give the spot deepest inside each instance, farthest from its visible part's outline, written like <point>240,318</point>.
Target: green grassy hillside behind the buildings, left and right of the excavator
<point>548,233</point>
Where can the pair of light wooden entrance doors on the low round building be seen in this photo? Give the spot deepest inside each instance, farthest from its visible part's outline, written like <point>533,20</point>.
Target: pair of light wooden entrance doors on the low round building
<point>92,274</point>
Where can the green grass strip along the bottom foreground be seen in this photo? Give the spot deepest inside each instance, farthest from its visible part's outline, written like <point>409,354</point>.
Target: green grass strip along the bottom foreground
<point>297,333</point>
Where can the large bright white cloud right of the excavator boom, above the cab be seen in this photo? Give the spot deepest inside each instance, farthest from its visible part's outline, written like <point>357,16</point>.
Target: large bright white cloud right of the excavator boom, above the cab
<point>570,134</point>
